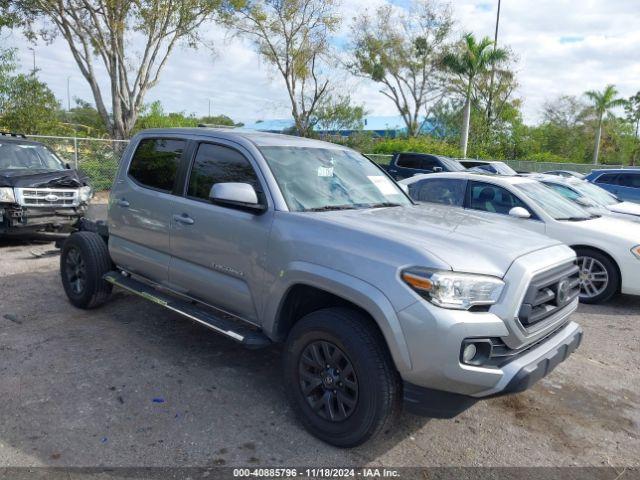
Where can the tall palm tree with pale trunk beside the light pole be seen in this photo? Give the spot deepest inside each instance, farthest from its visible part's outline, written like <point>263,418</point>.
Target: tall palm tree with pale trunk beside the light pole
<point>473,58</point>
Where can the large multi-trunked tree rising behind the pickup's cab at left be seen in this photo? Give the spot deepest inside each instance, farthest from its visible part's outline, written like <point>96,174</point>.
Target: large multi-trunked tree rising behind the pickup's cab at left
<point>104,30</point>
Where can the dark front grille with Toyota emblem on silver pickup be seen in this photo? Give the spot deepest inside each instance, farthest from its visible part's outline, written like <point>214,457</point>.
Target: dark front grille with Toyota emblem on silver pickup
<point>549,292</point>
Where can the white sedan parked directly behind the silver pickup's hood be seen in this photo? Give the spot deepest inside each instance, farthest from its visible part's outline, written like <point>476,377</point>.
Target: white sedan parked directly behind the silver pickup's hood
<point>608,249</point>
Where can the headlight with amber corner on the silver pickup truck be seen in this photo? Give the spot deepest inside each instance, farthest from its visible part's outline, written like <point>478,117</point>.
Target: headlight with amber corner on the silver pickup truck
<point>459,291</point>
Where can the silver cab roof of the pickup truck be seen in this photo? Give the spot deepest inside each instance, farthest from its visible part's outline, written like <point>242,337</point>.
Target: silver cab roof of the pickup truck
<point>259,139</point>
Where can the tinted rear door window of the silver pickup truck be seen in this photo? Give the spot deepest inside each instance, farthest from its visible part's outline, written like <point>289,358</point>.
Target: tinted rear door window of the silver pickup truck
<point>155,163</point>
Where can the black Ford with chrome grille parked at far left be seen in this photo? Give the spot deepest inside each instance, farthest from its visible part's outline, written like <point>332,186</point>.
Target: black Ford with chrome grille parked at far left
<point>38,191</point>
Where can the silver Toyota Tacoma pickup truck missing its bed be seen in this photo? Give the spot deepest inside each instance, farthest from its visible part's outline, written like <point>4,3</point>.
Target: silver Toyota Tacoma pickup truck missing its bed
<point>378,302</point>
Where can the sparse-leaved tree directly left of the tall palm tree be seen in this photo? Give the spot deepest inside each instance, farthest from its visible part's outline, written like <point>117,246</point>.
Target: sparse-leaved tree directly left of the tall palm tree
<point>401,50</point>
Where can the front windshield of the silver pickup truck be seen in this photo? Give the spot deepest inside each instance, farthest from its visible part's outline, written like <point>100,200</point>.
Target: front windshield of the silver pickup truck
<point>316,179</point>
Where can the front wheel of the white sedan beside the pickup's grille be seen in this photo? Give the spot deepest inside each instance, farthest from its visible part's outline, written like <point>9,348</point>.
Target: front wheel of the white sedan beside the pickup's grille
<point>599,276</point>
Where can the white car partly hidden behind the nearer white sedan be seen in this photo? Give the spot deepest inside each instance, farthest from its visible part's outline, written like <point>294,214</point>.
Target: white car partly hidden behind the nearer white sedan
<point>588,195</point>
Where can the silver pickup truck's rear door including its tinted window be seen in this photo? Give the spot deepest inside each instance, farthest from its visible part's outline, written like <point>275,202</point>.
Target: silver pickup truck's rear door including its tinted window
<point>140,208</point>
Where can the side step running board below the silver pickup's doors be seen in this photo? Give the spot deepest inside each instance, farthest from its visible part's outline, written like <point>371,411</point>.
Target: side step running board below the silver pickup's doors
<point>245,335</point>
